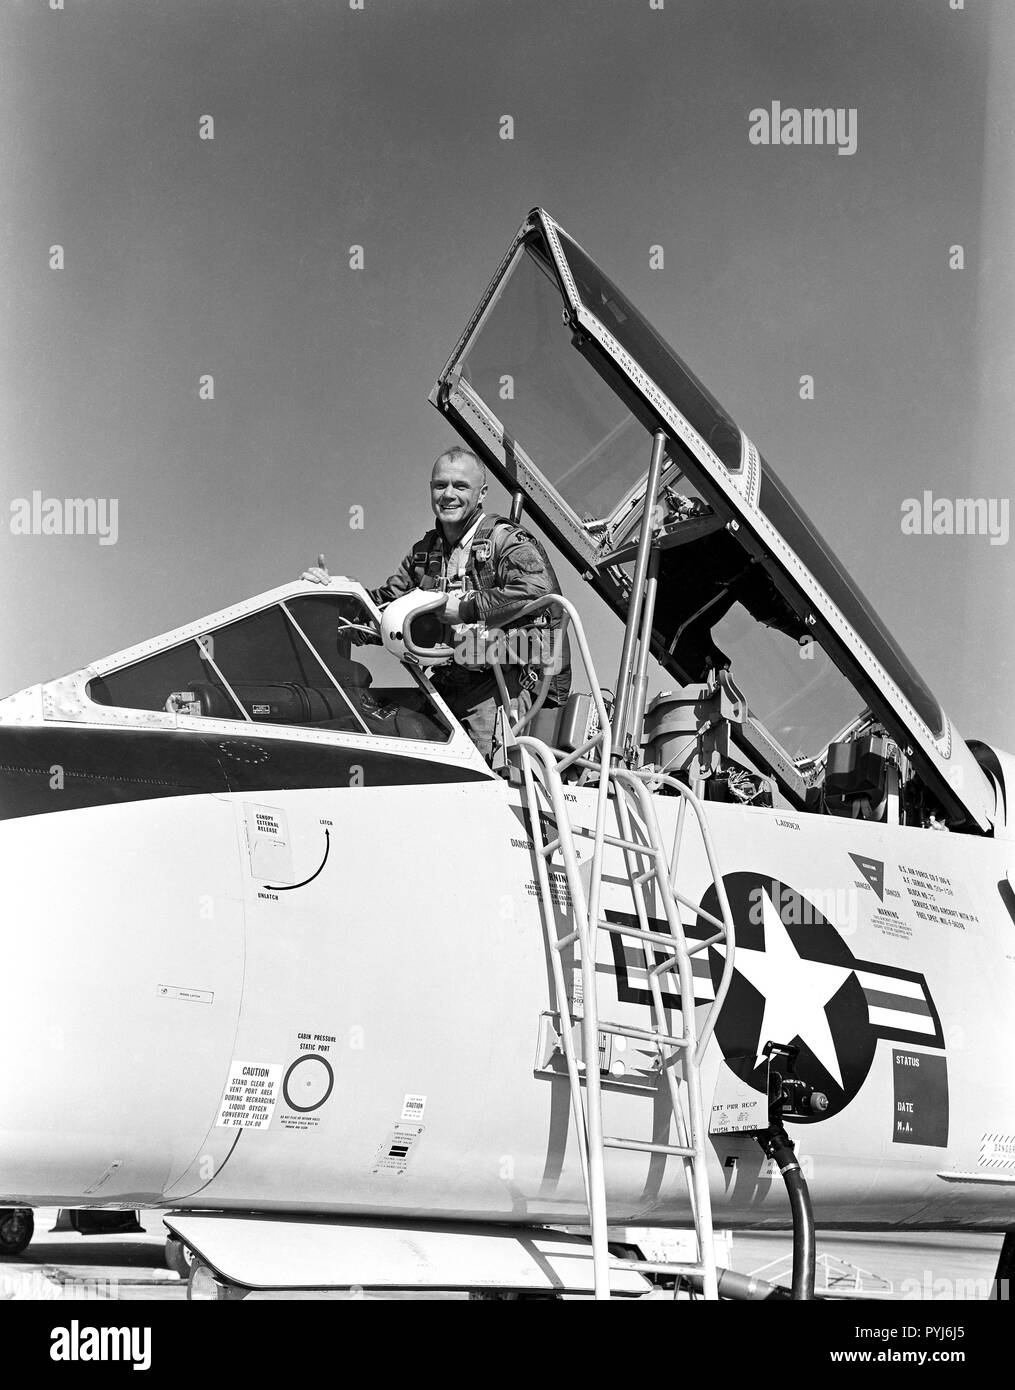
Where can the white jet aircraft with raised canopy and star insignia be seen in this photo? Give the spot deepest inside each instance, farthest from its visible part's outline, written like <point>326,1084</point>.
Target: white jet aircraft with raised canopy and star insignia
<point>359,1010</point>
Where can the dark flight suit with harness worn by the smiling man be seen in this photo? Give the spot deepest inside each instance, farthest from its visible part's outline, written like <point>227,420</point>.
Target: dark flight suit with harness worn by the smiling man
<point>500,568</point>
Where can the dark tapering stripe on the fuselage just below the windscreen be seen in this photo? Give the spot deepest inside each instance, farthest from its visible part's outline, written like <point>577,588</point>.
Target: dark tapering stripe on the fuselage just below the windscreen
<point>66,769</point>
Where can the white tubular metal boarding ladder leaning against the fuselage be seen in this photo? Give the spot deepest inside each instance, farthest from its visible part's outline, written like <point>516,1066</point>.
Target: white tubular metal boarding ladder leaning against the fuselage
<point>649,868</point>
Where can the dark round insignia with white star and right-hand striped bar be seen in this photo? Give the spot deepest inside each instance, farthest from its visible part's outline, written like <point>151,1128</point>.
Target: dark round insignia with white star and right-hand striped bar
<point>797,982</point>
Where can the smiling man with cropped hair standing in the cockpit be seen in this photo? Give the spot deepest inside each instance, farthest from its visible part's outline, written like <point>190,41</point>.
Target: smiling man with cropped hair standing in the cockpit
<point>489,569</point>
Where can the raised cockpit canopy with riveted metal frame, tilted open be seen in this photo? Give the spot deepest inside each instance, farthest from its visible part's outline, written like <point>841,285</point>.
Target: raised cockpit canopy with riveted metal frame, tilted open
<point>560,383</point>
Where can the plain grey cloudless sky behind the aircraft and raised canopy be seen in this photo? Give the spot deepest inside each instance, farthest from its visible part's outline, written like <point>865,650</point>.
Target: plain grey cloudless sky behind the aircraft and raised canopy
<point>380,127</point>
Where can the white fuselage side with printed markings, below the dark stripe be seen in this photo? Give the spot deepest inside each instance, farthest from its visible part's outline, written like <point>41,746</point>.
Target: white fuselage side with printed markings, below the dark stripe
<point>386,1003</point>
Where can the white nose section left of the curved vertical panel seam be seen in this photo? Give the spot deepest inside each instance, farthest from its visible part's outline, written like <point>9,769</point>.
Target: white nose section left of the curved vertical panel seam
<point>122,995</point>
